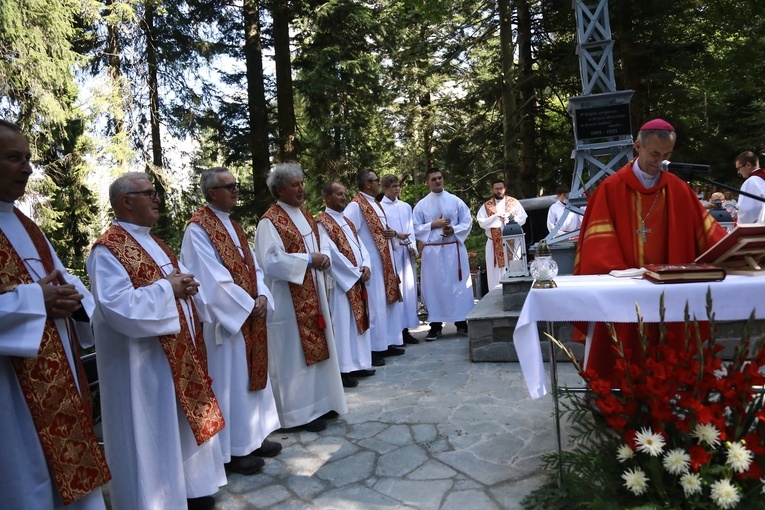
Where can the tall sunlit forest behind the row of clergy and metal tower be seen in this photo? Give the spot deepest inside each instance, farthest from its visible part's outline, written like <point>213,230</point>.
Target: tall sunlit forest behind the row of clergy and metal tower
<point>476,87</point>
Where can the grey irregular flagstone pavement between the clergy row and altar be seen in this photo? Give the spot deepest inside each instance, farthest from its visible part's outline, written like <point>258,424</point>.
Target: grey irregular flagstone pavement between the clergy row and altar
<point>430,430</point>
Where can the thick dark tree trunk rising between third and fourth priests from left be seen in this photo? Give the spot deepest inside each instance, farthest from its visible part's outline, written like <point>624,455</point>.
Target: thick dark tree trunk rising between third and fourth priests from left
<point>257,106</point>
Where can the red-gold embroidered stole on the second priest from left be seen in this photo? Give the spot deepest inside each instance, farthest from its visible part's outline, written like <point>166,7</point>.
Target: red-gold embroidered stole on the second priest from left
<point>188,363</point>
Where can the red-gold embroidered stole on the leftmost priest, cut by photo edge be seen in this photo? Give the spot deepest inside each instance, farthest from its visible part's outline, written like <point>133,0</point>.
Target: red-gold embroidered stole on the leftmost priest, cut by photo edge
<point>61,414</point>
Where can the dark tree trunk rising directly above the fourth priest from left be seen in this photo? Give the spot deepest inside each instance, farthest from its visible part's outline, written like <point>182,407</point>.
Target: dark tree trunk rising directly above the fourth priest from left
<point>284,92</point>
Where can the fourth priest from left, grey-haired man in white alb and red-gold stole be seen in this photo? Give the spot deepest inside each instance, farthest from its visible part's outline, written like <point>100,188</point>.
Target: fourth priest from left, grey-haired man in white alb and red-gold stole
<point>302,358</point>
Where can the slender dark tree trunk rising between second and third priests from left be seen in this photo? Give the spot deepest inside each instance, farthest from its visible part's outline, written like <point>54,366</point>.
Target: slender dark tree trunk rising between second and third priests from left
<point>163,225</point>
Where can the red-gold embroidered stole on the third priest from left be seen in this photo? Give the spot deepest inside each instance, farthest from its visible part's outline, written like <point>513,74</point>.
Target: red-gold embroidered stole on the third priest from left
<point>244,274</point>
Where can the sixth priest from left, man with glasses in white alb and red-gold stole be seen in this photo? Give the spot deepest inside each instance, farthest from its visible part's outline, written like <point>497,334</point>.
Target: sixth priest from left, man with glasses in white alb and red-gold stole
<point>383,287</point>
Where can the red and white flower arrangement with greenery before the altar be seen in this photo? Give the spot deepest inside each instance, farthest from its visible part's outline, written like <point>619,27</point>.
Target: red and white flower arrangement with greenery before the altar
<point>675,427</point>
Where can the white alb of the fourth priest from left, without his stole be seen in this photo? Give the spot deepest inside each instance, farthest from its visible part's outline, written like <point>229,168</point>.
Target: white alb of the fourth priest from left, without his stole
<point>303,393</point>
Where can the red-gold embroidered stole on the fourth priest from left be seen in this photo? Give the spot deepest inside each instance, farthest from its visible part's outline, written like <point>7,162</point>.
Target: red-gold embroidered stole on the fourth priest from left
<point>305,297</point>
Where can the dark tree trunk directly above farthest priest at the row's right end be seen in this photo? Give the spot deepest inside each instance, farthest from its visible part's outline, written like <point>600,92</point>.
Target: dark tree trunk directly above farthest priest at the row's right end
<point>509,103</point>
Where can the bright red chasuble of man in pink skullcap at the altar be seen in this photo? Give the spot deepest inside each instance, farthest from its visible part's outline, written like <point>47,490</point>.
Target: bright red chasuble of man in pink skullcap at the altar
<point>627,225</point>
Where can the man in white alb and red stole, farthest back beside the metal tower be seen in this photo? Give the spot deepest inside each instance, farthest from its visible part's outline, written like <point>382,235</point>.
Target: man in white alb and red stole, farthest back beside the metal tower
<point>492,217</point>
